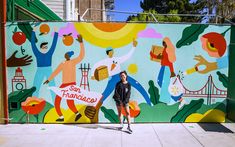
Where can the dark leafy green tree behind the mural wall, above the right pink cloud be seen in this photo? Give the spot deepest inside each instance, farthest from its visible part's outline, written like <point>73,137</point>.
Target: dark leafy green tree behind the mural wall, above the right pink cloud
<point>173,7</point>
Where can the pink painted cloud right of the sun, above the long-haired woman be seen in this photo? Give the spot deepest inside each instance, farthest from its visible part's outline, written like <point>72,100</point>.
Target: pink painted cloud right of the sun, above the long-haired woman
<point>149,33</point>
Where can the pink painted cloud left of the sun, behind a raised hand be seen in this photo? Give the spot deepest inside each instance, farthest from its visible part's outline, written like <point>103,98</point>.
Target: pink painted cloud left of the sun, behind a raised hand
<point>69,28</point>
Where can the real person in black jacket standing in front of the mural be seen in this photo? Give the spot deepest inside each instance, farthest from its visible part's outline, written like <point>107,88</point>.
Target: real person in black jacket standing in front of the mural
<point>121,97</point>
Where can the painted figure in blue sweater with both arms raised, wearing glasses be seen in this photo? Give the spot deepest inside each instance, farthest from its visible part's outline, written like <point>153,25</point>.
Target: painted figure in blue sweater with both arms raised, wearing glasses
<point>44,59</point>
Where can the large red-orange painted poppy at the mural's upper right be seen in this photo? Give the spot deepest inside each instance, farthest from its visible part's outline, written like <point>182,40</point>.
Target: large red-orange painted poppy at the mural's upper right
<point>214,44</point>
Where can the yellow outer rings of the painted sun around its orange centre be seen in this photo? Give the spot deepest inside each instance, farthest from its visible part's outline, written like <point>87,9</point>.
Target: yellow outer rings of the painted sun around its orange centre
<point>104,39</point>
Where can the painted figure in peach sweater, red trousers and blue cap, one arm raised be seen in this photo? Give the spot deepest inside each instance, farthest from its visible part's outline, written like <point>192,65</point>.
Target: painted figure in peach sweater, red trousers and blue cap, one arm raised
<point>68,69</point>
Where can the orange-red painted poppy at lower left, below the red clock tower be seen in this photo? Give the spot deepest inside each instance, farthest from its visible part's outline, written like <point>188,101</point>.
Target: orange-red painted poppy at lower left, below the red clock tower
<point>33,105</point>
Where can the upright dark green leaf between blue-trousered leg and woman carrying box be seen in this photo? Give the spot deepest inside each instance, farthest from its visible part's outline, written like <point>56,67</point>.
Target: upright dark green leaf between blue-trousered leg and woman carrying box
<point>154,93</point>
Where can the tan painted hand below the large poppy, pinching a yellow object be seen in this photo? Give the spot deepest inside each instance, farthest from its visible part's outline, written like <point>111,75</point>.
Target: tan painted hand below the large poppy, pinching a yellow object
<point>209,66</point>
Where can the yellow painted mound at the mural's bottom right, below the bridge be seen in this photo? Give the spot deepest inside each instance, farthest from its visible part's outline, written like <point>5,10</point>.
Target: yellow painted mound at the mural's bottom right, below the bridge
<point>213,115</point>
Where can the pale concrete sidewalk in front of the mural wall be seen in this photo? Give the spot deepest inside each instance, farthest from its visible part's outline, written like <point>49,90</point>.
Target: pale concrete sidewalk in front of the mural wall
<point>107,135</point>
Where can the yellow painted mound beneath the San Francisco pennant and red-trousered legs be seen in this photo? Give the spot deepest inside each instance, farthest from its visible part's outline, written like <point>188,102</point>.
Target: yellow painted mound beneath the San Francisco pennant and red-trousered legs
<point>69,116</point>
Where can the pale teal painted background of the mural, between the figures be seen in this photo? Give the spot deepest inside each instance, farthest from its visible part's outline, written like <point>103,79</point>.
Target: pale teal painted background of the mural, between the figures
<point>147,69</point>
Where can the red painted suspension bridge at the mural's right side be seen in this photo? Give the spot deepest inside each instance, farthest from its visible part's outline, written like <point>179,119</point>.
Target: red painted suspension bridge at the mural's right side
<point>209,91</point>
